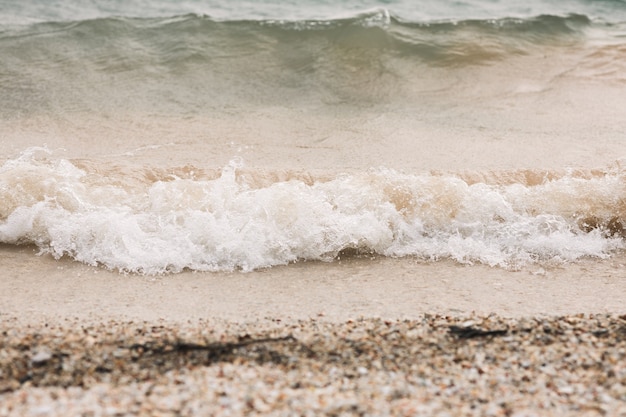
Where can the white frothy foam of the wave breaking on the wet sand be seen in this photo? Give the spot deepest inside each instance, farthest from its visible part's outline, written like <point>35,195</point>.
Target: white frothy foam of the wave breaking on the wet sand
<point>227,223</point>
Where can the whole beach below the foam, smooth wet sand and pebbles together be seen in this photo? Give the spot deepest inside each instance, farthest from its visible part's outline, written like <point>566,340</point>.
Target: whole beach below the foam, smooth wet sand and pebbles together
<point>436,339</point>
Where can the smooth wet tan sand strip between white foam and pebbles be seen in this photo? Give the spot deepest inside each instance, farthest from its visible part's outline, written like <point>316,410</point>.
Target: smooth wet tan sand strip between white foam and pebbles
<point>35,288</point>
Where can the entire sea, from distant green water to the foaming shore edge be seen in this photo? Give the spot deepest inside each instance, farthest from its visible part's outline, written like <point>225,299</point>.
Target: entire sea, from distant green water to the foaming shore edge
<point>161,136</point>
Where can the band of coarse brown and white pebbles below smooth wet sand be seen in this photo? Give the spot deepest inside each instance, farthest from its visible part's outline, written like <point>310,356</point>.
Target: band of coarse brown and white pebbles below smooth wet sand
<point>434,365</point>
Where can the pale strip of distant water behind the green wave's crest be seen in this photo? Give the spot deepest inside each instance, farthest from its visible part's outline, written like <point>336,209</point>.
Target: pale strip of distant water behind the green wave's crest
<point>415,11</point>
